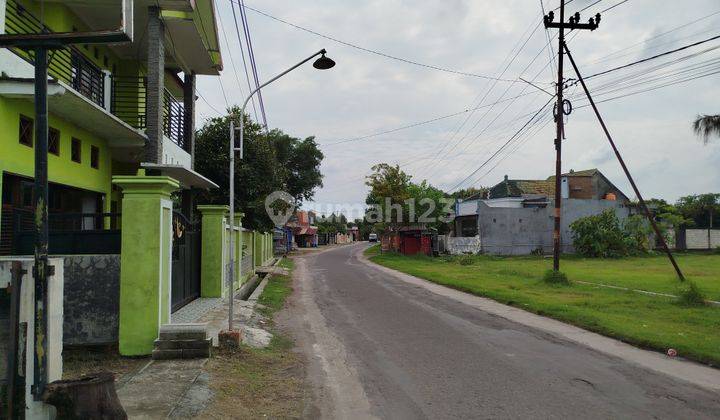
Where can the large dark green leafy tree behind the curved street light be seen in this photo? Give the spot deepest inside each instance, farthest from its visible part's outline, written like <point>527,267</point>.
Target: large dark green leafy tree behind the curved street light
<point>272,162</point>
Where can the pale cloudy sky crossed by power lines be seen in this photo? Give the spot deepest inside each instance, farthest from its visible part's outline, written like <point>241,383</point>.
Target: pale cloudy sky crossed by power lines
<point>368,93</point>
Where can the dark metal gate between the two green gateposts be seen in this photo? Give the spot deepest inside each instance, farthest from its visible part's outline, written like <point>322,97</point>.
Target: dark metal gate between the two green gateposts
<point>186,252</point>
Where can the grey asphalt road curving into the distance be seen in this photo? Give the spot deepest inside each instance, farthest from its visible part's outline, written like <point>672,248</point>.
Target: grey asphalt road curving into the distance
<point>381,347</point>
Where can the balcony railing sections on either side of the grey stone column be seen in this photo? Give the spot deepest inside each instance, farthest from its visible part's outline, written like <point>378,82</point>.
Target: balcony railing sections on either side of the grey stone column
<point>129,103</point>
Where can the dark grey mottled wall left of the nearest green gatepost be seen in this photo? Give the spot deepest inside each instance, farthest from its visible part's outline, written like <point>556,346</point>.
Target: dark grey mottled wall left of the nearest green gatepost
<point>92,299</point>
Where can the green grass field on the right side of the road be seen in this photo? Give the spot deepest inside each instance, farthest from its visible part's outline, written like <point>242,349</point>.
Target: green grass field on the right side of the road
<point>648,321</point>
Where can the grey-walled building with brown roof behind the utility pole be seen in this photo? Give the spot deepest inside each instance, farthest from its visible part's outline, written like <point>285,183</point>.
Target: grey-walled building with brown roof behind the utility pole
<point>518,216</point>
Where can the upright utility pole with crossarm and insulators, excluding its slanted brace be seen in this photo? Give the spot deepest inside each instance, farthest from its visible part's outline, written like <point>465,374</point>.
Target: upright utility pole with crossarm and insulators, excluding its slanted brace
<point>573,23</point>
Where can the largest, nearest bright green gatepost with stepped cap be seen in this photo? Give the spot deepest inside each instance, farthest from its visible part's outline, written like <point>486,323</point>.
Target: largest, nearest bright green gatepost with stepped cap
<point>145,260</point>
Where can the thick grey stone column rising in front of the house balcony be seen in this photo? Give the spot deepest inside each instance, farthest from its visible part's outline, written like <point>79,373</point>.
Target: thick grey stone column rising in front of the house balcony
<point>155,85</point>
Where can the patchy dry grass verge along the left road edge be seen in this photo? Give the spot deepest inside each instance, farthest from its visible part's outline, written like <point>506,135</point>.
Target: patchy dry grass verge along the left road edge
<point>256,383</point>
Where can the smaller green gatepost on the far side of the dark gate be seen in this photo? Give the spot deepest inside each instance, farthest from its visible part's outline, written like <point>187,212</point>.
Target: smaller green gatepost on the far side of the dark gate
<point>213,247</point>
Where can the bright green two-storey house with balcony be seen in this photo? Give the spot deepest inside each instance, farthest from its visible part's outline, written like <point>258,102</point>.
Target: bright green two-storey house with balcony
<point>113,109</point>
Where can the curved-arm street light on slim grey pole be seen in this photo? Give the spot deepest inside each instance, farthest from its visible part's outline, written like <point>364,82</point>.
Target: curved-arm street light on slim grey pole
<point>322,63</point>
